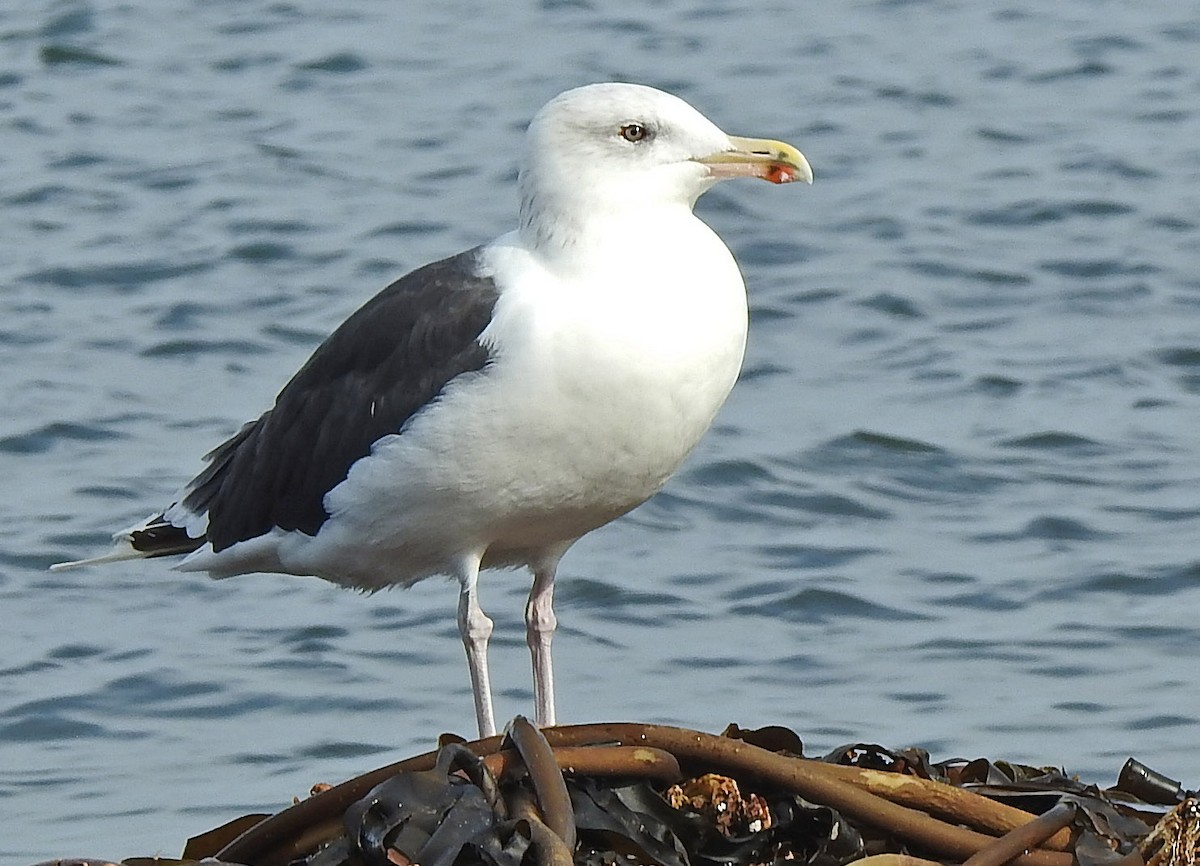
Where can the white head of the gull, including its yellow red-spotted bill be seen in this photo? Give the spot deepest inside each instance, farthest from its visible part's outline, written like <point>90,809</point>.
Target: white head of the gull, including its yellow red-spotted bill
<point>613,148</point>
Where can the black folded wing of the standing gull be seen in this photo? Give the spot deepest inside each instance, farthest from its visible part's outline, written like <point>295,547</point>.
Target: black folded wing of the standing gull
<point>374,374</point>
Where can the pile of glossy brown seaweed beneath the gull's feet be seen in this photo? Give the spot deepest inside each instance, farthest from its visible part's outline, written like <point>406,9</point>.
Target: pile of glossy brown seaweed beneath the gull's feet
<point>621,795</point>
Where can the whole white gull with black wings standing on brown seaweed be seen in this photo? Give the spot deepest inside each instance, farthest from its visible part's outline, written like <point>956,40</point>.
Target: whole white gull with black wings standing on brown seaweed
<point>489,410</point>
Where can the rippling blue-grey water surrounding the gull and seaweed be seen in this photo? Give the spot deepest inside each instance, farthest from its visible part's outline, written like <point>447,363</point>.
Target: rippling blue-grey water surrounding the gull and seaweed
<point>955,501</point>
